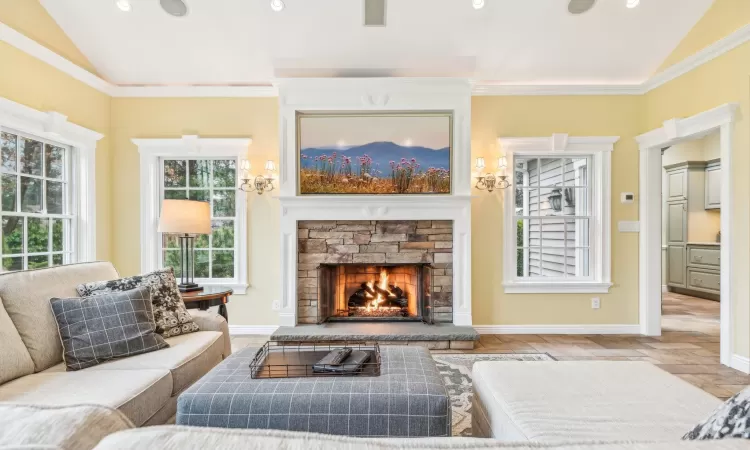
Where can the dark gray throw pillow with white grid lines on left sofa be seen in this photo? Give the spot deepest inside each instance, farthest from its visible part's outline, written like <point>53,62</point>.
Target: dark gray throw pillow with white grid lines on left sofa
<point>97,329</point>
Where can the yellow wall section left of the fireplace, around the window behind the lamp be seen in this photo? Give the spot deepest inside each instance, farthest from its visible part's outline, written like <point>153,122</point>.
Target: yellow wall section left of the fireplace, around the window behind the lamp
<point>171,118</point>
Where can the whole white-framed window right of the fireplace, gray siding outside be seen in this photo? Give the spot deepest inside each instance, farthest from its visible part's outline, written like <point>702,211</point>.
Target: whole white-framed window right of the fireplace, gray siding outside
<point>557,226</point>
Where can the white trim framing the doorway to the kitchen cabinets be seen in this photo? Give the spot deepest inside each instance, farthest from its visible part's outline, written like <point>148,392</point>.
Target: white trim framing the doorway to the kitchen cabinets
<point>673,131</point>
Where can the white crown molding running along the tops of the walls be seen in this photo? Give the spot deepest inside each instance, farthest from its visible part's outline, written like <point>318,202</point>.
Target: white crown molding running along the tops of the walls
<point>478,88</point>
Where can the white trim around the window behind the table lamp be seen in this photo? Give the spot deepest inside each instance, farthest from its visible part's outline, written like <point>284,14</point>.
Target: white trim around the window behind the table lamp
<point>152,151</point>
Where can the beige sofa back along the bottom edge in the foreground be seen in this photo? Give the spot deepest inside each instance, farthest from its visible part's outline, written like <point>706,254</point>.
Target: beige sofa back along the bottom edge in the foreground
<point>89,427</point>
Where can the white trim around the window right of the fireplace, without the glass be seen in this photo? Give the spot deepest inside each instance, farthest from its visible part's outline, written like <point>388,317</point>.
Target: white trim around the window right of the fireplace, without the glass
<point>599,148</point>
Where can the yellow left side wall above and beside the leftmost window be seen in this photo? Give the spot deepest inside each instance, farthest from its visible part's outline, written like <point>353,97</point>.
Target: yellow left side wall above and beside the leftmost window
<point>26,80</point>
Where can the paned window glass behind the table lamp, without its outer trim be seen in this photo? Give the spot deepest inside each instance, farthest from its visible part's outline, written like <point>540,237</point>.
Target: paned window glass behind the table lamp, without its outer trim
<point>213,181</point>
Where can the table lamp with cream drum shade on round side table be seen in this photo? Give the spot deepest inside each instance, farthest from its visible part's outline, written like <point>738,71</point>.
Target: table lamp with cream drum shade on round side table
<point>186,219</point>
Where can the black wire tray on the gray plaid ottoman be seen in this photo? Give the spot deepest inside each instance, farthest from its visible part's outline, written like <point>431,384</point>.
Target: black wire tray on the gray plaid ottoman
<point>276,360</point>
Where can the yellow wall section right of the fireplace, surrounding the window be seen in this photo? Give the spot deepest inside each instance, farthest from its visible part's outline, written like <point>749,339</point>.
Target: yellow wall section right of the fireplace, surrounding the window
<point>494,117</point>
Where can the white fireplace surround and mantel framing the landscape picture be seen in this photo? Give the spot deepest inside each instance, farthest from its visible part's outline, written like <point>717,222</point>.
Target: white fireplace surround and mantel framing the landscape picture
<point>376,95</point>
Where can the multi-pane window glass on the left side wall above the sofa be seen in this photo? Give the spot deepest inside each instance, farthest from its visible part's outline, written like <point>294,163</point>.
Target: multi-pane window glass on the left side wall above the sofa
<point>36,219</point>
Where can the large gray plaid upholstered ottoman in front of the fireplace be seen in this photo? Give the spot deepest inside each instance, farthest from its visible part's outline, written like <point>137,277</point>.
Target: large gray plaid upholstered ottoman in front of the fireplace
<point>407,399</point>
